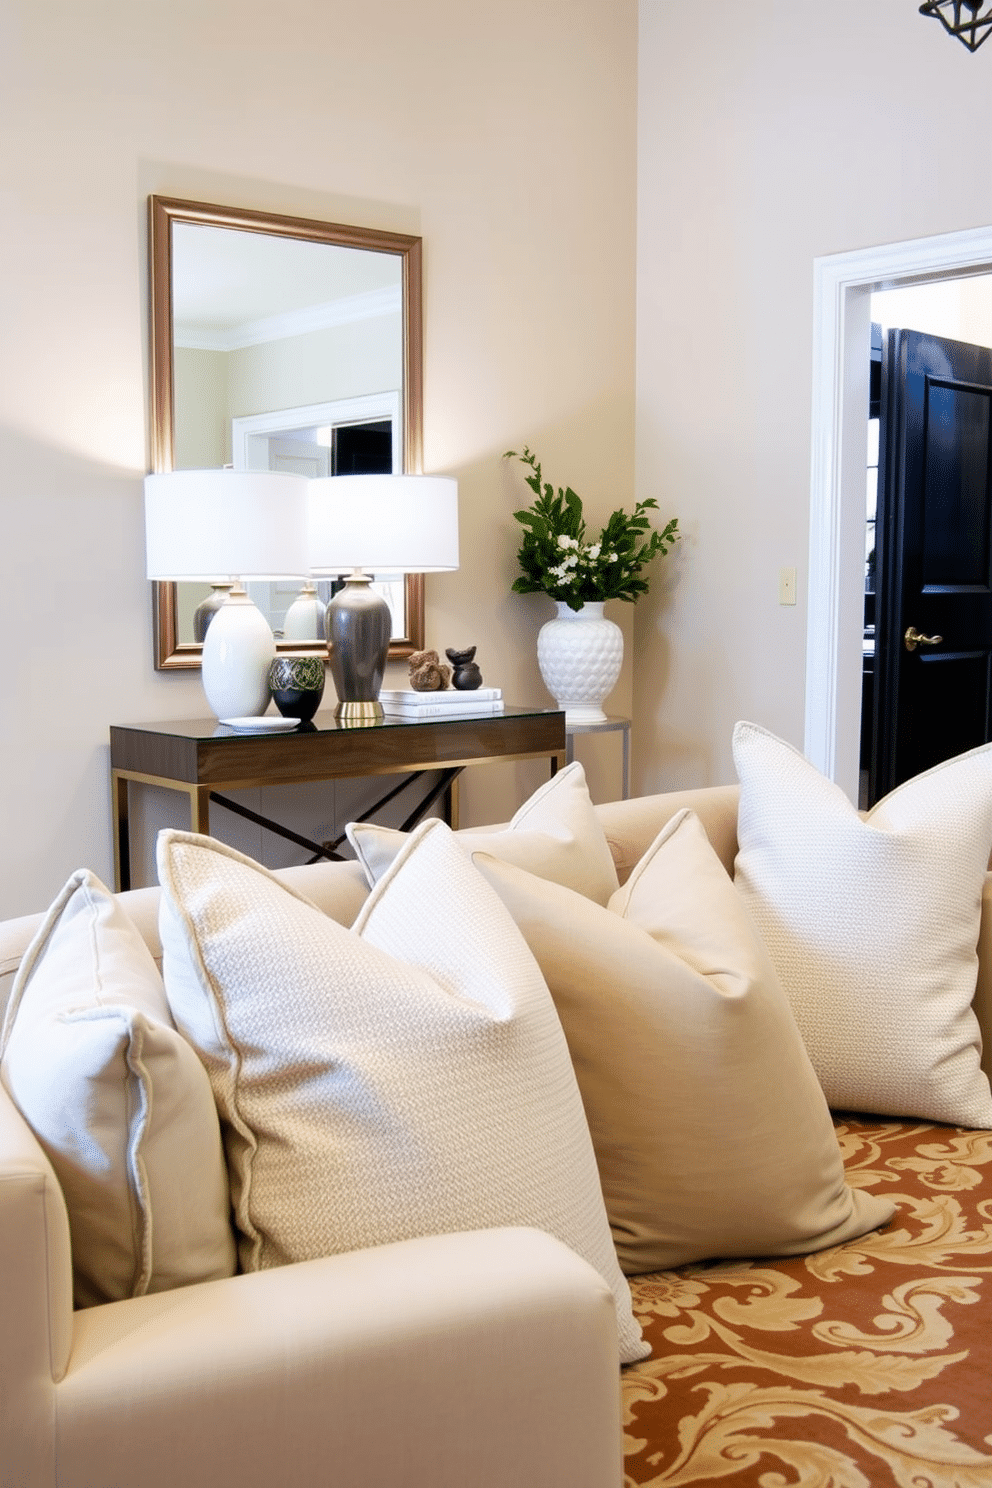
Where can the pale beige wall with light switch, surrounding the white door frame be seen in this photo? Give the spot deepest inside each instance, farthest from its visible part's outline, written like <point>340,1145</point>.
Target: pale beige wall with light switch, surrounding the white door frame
<point>788,133</point>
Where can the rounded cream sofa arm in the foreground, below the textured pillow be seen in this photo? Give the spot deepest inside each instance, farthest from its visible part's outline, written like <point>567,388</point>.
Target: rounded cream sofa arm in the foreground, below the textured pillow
<point>484,1359</point>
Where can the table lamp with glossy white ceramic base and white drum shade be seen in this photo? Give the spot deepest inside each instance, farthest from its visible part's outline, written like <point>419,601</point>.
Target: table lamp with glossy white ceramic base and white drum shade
<point>221,527</point>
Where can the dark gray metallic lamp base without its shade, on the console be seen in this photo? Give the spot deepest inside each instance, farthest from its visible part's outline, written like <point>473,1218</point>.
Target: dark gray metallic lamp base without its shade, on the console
<point>359,629</point>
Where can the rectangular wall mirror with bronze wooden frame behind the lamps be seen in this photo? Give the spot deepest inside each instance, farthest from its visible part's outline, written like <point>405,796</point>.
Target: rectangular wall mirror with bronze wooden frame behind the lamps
<point>288,344</point>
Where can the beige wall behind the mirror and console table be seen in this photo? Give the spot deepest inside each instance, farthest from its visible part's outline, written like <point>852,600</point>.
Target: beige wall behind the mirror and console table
<point>505,136</point>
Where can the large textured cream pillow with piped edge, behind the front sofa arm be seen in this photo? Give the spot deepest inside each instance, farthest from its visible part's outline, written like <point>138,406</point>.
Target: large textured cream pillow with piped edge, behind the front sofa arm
<point>404,1078</point>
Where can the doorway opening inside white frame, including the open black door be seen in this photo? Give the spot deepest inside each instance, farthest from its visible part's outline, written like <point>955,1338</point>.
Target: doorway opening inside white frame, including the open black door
<point>930,699</point>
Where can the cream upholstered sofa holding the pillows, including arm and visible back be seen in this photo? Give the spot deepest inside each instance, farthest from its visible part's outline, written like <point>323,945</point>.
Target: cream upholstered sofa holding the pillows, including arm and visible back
<point>474,1359</point>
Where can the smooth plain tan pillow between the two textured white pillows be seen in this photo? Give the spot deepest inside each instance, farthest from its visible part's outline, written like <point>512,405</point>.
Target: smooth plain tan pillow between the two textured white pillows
<point>710,1129</point>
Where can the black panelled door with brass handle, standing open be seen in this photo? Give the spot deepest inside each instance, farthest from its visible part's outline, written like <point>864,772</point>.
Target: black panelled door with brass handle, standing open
<point>933,681</point>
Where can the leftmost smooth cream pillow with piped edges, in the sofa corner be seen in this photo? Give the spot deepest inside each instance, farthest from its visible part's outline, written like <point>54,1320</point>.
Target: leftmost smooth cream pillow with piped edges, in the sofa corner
<point>120,1103</point>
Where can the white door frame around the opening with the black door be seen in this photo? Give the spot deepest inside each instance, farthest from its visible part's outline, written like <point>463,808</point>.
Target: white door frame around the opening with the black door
<point>835,615</point>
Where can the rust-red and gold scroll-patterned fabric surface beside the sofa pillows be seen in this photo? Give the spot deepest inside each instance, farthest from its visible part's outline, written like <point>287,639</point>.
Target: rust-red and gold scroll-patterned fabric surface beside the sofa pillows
<point>863,1367</point>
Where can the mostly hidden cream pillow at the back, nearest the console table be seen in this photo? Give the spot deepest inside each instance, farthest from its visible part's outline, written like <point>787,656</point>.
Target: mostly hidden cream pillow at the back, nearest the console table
<point>557,834</point>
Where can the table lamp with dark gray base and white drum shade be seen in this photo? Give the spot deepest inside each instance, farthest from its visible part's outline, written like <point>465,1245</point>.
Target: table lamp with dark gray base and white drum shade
<point>374,525</point>
